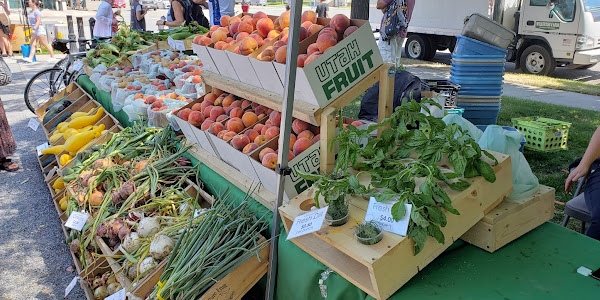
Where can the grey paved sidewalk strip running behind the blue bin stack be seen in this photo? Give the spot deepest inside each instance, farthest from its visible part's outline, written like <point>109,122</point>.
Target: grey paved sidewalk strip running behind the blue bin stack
<point>524,92</point>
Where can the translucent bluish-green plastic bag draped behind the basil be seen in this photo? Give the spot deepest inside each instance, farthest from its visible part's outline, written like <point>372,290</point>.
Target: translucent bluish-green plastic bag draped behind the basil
<point>495,138</point>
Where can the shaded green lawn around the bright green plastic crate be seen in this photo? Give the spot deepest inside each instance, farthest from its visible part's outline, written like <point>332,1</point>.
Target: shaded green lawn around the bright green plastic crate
<point>549,167</point>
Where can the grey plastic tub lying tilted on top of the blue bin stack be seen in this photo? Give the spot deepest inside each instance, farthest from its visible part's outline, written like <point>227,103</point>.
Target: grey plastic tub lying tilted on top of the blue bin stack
<point>484,29</point>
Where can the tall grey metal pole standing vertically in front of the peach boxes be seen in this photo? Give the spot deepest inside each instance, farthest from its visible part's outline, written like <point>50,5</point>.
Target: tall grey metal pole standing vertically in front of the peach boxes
<point>284,144</point>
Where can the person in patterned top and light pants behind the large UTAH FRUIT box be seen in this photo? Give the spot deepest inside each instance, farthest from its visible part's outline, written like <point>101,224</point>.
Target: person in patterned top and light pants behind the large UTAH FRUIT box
<point>391,49</point>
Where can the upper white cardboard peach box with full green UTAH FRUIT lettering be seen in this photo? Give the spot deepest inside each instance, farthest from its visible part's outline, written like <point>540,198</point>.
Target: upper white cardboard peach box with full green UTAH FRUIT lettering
<point>338,69</point>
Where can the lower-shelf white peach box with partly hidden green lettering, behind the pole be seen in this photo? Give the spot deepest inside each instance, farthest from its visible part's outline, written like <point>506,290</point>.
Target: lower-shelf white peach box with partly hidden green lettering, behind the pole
<point>307,161</point>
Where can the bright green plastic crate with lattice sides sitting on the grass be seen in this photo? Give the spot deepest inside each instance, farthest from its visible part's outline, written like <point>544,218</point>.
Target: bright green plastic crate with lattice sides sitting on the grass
<point>543,134</point>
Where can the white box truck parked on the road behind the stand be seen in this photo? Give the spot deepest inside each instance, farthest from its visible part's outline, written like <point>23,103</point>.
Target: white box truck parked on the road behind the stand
<point>550,33</point>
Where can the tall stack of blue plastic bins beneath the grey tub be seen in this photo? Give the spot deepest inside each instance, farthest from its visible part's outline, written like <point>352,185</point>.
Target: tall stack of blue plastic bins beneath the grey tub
<point>479,69</point>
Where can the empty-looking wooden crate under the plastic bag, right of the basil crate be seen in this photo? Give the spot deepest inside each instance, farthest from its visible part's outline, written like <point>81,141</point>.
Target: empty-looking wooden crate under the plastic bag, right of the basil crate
<point>511,219</point>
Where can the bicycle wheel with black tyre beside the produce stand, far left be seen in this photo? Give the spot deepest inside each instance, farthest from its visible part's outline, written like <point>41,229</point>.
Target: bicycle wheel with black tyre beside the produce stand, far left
<point>43,86</point>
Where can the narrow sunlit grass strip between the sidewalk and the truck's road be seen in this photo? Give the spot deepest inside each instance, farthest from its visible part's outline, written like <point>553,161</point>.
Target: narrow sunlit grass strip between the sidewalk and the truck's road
<point>526,79</point>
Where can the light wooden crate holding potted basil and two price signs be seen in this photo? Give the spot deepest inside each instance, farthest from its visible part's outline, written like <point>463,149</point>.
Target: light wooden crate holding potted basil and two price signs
<point>380,270</point>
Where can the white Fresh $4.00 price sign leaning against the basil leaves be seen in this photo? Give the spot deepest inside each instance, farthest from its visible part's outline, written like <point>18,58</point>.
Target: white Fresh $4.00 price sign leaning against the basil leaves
<point>381,212</point>
